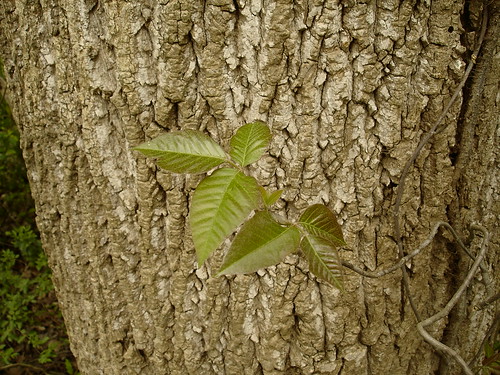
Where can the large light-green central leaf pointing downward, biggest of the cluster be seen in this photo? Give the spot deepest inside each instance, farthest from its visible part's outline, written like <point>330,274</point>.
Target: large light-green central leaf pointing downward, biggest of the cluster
<point>221,202</point>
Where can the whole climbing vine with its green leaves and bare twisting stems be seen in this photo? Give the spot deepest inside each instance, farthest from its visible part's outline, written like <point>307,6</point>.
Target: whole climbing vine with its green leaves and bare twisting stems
<point>227,197</point>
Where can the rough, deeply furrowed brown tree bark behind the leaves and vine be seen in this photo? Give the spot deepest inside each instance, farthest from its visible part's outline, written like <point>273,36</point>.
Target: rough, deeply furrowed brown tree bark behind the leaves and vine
<point>348,88</point>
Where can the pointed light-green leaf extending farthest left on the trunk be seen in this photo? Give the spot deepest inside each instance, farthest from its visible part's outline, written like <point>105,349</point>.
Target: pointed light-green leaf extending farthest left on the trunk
<point>187,151</point>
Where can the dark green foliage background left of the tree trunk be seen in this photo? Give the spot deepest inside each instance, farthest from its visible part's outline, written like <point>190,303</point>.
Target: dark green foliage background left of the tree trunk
<point>32,334</point>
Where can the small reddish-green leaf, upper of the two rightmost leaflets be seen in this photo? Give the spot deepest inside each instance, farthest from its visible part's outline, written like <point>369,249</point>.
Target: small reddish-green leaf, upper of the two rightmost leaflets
<point>319,221</point>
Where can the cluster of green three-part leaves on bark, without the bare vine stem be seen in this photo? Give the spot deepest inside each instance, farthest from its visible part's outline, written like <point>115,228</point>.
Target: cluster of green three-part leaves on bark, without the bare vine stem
<point>227,197</point>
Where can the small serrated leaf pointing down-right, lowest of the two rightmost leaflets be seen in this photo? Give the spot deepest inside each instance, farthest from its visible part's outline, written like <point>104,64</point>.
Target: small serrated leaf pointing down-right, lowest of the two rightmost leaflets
<point>323,259</point>
